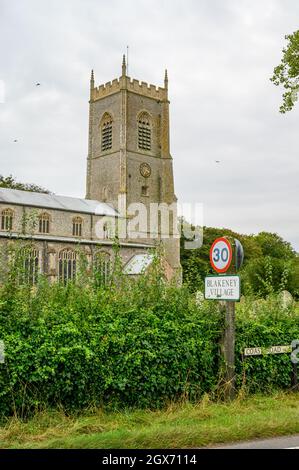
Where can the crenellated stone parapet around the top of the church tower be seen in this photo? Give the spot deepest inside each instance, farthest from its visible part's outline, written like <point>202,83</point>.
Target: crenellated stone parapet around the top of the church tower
<point>133,85</point>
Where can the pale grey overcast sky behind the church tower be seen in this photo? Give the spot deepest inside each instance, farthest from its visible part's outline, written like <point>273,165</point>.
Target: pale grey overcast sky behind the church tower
<point>220,55</point>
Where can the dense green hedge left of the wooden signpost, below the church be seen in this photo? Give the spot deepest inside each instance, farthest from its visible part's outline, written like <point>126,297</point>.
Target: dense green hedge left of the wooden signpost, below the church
<point>78,346</point>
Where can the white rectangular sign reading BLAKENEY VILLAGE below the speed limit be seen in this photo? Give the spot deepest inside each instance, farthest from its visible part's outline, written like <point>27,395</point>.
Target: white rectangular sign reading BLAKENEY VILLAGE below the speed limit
<point>222,287</point>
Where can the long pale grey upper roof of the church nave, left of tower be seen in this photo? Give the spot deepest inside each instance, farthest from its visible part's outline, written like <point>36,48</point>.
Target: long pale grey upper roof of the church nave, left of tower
<point>51,201</point>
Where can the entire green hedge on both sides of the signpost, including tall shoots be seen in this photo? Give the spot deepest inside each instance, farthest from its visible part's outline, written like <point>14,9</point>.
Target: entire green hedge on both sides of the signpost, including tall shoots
<point>130,343</point>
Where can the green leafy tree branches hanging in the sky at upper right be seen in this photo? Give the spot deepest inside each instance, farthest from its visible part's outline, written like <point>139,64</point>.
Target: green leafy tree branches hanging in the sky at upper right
<point>287,72</point>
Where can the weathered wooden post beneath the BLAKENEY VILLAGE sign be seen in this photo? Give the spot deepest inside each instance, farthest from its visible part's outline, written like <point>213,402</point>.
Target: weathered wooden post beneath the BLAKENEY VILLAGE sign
<point>229,350</point>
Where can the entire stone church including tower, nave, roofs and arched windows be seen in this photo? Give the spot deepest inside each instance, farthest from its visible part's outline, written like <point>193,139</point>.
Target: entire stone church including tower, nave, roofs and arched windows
<point>129,166</point>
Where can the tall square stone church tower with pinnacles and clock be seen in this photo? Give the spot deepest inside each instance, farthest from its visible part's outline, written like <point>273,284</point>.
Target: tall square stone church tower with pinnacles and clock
<point>129,157</point>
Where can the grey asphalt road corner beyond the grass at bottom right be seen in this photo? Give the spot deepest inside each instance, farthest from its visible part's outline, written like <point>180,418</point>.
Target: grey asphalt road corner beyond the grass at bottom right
<point>287,442</point>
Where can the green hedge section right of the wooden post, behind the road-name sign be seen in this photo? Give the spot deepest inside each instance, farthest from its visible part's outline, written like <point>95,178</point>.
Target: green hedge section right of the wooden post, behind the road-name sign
<point>265,323</point>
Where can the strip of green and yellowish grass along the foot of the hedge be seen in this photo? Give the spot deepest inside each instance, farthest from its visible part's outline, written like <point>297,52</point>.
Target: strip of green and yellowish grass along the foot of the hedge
<point>178,426</point>
